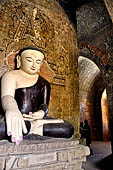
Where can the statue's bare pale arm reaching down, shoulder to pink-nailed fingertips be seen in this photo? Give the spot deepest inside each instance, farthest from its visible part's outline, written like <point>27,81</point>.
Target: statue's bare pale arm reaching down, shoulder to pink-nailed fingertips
<point>14,120</point>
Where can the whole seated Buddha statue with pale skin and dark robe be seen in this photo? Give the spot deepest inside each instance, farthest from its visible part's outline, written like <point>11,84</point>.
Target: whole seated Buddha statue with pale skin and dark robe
<point>25,98</point>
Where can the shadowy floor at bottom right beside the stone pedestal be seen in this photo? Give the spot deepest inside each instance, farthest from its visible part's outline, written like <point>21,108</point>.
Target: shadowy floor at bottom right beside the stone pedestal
<point>101,158</point>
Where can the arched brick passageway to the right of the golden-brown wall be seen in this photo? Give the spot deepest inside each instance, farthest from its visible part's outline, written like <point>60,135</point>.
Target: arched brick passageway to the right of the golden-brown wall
<point>91,87</point>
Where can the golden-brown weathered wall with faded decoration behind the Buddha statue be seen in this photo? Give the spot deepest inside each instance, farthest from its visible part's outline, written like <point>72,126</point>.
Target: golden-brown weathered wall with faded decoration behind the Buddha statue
<point>44,24</point>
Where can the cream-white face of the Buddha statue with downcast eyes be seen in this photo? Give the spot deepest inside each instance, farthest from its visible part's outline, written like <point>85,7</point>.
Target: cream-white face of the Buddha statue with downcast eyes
<point>31,61</point>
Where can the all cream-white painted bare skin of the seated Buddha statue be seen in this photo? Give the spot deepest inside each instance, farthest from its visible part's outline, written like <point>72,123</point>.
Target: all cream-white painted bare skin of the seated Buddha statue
<point>29,63</point>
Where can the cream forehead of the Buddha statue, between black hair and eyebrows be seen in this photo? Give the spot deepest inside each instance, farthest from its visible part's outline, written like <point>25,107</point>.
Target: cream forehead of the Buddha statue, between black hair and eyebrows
<point>32,53</point>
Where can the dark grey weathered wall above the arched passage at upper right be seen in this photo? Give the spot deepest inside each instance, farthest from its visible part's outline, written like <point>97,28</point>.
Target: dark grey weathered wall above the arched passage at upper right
<point>93,24</point>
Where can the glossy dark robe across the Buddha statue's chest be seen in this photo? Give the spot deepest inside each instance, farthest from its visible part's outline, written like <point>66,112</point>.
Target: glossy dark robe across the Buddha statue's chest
<point>34,98</point>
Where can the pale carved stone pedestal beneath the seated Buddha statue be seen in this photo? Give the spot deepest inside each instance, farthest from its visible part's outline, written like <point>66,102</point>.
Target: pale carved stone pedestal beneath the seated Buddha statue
<point>51,154</point>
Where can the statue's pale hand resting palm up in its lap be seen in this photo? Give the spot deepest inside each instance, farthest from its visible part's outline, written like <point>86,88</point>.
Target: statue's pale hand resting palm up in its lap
<point>34,115</point>
